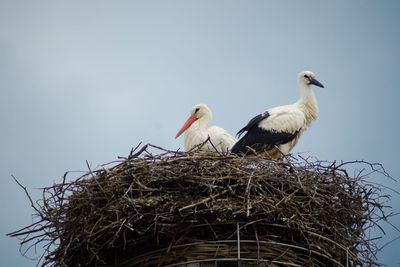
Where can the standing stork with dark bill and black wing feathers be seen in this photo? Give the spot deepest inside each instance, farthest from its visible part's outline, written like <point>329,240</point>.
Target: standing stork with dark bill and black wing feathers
<point>277,130</point>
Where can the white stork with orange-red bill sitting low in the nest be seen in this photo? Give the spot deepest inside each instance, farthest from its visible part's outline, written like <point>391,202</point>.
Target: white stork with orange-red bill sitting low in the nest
<point>197,130</point>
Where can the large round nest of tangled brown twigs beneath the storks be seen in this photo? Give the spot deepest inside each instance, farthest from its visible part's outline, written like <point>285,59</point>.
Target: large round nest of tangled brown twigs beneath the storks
<point>174,209</point>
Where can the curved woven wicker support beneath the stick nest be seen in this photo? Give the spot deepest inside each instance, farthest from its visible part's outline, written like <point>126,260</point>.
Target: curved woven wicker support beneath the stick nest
<point>209,244</point>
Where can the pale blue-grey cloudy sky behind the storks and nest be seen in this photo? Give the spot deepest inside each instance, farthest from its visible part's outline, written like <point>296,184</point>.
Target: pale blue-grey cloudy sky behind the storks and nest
<point>88,80</point>
